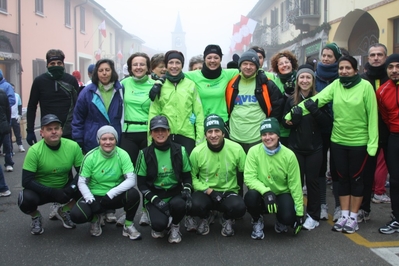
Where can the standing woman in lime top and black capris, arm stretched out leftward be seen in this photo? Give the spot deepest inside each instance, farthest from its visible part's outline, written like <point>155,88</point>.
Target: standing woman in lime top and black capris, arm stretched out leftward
<point>354,136</point>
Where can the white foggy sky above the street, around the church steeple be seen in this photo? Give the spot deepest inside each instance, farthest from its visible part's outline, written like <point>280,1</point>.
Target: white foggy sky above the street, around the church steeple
<point>205,21</point>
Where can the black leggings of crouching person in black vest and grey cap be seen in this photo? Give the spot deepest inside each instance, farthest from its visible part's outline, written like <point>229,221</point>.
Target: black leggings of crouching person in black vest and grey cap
<point>159,221</point>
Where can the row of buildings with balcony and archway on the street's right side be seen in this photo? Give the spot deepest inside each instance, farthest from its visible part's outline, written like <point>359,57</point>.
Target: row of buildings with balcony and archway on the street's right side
<point>305,26</point>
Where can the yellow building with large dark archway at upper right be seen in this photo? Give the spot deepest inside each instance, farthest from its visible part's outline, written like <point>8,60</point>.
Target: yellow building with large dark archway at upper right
<point>365,22</point>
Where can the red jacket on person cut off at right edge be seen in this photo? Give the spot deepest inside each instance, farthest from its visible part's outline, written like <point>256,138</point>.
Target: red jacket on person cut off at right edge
<point>388,104</point>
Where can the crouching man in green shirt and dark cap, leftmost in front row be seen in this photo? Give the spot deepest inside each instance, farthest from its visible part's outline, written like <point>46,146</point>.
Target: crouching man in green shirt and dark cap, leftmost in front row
<point>46,174</point>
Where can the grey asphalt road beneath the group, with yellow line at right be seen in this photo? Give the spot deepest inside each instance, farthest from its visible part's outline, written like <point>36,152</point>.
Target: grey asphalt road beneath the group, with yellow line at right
<point>60,246</point>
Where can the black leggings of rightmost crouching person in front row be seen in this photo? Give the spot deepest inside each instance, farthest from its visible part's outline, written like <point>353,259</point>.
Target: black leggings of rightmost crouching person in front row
<point>285,211</point>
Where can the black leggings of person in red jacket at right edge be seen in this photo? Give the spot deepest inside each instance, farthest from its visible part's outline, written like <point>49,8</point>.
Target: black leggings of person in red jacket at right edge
<point>392,160</point>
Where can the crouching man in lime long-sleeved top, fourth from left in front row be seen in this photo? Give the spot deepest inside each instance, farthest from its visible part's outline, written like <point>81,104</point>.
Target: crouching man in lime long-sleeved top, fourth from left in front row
<point>215,165</point>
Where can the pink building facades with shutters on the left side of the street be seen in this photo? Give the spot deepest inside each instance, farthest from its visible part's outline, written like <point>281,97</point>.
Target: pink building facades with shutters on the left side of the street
<point>82,29</point>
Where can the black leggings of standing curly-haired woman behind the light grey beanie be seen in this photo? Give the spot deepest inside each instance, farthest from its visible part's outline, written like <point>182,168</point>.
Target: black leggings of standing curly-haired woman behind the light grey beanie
<point>132,143</point>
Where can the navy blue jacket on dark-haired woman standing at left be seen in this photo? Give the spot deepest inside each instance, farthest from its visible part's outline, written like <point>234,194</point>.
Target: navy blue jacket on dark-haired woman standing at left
<point>90,114</point>
